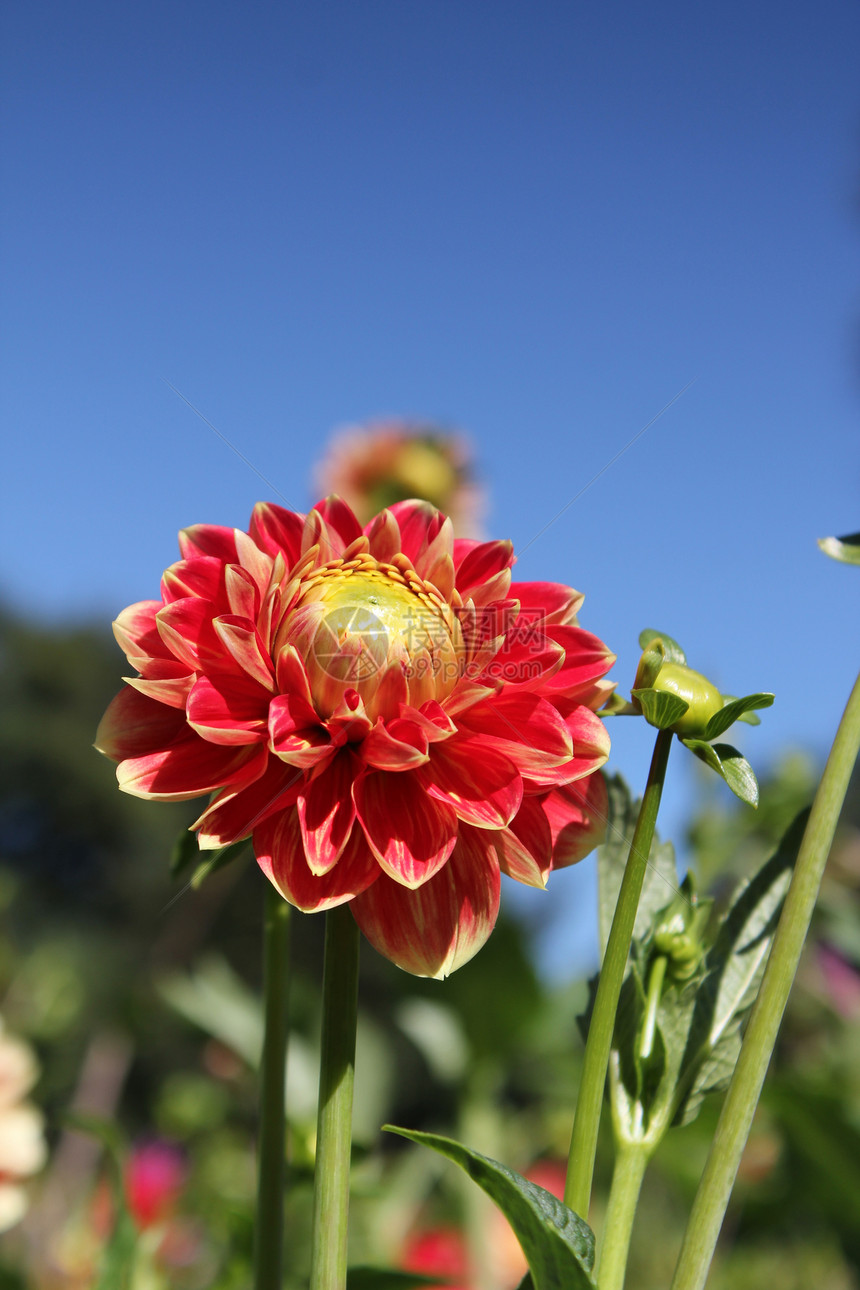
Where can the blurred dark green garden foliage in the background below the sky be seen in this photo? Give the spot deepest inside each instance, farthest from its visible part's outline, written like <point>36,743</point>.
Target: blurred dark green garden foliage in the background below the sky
<point>142,999</point>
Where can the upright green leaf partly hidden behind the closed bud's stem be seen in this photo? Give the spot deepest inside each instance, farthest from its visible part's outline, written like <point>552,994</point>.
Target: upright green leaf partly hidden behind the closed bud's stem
<point>661,884</point>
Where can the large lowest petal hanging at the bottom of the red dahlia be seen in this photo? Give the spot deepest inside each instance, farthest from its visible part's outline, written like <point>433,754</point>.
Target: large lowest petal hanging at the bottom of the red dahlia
<point>434,931</point>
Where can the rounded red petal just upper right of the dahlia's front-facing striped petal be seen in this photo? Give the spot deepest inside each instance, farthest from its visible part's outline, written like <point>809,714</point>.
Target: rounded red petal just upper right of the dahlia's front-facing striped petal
<point>483,786</point>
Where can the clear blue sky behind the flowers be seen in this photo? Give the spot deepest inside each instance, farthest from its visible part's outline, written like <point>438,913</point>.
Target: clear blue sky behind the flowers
<point>538,223</point>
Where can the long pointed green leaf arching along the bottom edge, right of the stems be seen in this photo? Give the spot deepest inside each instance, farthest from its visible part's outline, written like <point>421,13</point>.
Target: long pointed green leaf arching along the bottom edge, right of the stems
<point>558,1244</point>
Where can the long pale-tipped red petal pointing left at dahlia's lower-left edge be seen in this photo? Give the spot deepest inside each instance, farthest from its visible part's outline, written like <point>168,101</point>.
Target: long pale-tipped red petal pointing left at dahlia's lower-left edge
<point>190,768</point>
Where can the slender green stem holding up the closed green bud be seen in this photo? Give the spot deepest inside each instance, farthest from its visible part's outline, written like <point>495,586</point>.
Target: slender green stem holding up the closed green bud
<point>583,1146</point>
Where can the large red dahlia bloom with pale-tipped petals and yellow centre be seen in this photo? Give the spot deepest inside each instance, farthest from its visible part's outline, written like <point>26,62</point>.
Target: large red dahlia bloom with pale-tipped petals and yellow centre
<point>389,717</point>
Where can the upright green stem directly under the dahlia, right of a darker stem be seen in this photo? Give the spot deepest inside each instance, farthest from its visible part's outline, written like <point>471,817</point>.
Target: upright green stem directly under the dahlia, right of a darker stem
<point>335,1115</point>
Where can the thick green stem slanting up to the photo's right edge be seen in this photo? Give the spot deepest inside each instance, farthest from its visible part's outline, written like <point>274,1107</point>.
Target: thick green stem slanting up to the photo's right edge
<point>733,1131</point>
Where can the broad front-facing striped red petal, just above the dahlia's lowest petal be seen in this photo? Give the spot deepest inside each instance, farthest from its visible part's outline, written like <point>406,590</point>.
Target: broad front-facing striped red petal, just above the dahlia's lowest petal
<point>411,835</point>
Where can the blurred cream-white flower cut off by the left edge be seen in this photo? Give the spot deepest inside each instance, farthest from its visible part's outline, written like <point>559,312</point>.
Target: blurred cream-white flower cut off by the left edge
<point>23,1140</point>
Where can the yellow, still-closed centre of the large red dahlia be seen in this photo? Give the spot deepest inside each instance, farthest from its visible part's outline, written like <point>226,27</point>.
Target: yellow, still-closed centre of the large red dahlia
<point>363,619</point>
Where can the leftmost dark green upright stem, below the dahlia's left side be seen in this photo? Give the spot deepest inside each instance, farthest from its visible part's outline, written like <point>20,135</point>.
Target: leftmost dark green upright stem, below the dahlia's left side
<point>269,1231</point>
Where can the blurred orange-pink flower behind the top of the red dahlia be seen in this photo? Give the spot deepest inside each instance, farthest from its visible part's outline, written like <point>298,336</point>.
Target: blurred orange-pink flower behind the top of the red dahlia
<point>385,462</point>
